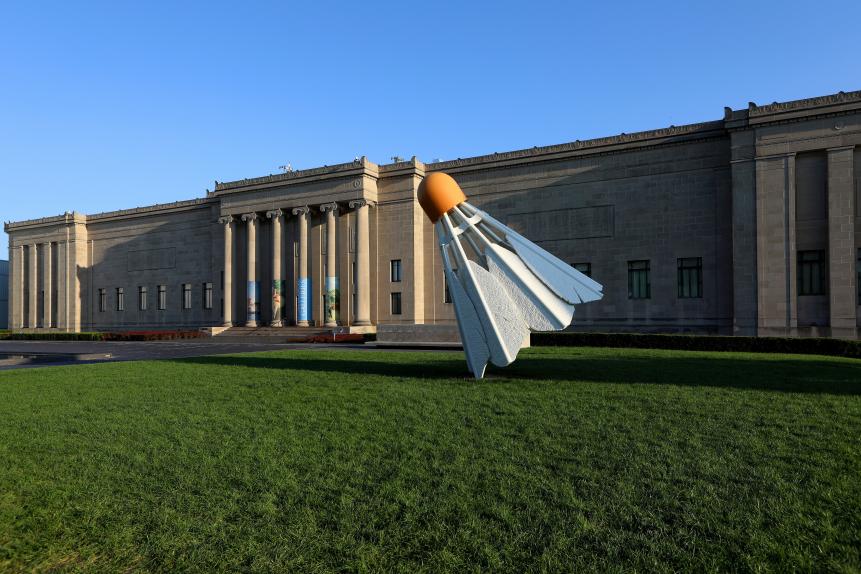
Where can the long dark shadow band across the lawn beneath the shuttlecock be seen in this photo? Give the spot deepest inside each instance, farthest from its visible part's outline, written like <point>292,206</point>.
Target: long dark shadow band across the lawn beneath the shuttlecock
<point>787,375</point>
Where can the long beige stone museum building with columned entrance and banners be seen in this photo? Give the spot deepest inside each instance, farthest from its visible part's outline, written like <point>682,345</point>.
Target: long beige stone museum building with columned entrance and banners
<point>748,225</point>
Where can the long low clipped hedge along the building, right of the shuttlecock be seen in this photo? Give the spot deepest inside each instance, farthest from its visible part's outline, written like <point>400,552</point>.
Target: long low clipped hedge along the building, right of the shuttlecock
<point>791,345</point>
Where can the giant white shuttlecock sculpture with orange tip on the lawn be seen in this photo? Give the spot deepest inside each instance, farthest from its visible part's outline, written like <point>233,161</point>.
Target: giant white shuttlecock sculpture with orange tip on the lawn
<point>502,285</point>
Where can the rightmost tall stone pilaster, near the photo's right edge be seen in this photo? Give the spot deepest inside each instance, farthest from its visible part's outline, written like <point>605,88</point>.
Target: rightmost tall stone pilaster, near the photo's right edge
<point>841,242</point>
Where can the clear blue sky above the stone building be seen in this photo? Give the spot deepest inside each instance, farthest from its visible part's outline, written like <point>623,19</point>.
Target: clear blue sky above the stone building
<point>111,105</point>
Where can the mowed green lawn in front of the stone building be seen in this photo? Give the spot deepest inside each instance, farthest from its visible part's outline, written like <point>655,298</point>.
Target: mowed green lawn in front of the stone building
<point>313,461</point>
